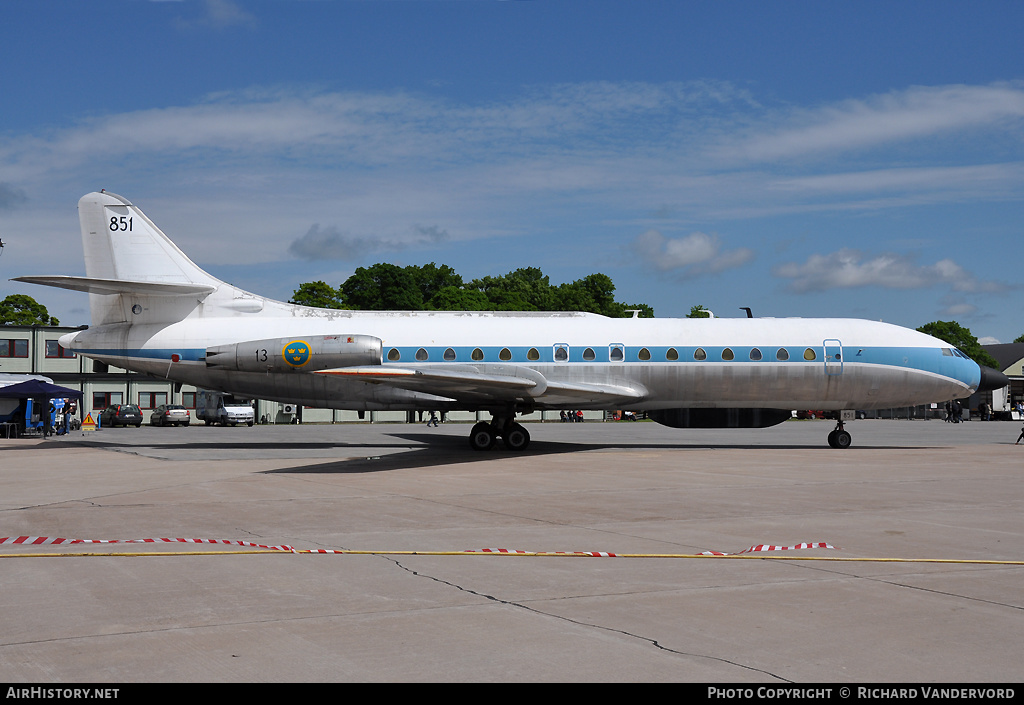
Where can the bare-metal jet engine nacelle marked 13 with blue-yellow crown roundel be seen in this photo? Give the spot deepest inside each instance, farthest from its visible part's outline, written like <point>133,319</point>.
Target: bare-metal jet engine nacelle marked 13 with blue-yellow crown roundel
<point>308,354</point>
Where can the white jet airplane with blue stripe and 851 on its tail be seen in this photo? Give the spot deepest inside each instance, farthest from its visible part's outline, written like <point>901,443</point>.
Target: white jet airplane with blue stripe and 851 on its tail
<point>155,312</point>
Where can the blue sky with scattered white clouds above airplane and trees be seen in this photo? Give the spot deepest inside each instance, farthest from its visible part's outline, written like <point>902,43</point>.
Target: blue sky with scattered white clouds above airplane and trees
<point>815,159</point>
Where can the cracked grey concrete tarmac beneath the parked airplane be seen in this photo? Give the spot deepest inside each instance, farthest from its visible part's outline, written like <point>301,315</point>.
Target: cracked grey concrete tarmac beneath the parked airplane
<point>907,490</point>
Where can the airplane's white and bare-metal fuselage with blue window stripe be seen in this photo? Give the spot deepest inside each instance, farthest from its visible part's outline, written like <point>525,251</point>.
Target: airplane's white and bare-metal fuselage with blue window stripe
<point>674,363</point>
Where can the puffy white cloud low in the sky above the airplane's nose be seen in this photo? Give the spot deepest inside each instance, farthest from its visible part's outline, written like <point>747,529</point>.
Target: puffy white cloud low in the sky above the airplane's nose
<point>849,269</point>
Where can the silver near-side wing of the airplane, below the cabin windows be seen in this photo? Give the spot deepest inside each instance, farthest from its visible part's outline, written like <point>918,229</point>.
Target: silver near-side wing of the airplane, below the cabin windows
<point>508,384</point>
